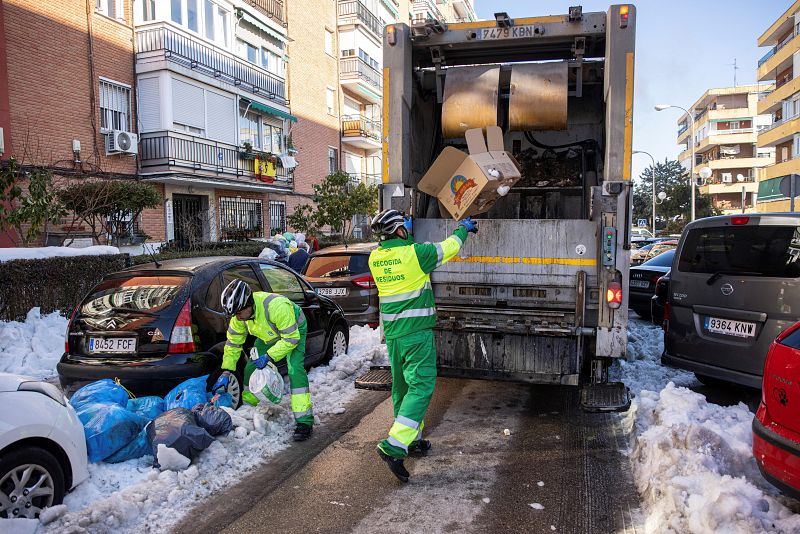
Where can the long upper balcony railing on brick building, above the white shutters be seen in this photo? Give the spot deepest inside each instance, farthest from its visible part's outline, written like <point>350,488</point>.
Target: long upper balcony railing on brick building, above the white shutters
<point>214,62</point>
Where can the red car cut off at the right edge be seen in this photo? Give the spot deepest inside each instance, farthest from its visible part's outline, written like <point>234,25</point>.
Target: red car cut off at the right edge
<point>776,426</point>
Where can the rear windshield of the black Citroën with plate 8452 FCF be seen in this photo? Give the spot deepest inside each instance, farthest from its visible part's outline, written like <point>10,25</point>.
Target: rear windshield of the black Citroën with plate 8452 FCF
<point>140,293</point>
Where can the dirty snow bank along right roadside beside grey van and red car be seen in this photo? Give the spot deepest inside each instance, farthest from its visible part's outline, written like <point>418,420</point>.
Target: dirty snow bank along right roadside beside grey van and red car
<point>693,460</point>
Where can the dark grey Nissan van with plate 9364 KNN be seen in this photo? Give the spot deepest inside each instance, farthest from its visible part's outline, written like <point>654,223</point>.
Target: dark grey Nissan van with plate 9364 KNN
<point>735,285</point>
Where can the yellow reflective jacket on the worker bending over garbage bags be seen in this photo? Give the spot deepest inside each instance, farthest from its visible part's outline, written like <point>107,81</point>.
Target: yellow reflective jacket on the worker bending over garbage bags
<point>276,321</point>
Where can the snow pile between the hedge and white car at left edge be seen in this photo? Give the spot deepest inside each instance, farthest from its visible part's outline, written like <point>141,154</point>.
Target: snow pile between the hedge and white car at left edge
<point>33,347</point>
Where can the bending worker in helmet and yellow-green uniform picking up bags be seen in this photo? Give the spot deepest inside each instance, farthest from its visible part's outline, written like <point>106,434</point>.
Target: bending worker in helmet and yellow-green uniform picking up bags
<point>280,328</point>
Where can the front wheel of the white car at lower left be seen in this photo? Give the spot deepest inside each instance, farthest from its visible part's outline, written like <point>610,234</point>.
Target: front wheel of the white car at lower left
<point>31,479</point>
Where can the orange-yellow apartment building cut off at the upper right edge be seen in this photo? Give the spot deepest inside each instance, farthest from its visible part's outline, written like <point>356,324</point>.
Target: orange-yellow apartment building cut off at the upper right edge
<point>781,64</point>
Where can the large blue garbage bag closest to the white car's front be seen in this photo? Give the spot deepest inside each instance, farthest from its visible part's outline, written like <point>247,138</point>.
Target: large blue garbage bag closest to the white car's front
<point>108,428</point>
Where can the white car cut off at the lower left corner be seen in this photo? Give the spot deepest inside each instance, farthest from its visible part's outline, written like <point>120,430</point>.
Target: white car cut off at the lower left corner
<point>42,447</point>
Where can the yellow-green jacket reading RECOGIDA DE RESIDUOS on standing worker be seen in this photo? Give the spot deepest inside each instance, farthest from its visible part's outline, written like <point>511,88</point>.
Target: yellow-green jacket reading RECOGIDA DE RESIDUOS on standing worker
<point>401,269</point>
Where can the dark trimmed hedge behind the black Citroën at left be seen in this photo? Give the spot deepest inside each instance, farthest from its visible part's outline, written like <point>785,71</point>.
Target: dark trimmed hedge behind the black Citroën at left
<point>52,284</point>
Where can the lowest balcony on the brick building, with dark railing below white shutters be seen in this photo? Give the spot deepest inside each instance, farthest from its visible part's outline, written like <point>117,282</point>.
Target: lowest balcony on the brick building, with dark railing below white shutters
<point>205,160</point>
